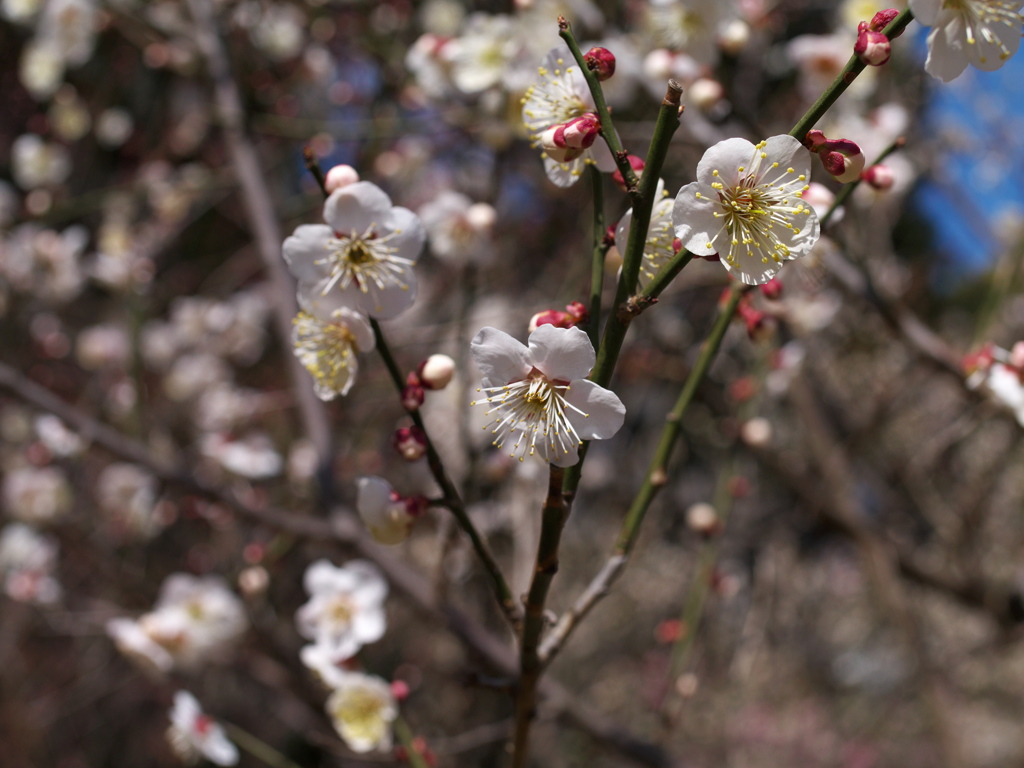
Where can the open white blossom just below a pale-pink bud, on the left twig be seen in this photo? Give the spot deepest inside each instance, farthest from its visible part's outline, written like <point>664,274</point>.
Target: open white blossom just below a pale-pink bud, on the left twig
<point>362,259</point>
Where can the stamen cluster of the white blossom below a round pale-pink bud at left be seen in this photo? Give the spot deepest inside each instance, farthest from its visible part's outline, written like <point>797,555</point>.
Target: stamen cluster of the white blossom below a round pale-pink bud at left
<point>366,261</point>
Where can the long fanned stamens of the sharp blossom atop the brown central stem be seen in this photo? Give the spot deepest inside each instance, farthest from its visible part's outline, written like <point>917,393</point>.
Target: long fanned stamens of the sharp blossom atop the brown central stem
<point>536,410</point>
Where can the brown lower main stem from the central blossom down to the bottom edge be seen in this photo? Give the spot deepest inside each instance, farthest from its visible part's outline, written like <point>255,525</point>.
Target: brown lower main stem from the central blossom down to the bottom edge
<point>553,521</point>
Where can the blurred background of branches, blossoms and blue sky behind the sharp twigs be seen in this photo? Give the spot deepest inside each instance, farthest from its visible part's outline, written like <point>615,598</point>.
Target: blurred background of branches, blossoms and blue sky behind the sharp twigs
<point>832,575</point>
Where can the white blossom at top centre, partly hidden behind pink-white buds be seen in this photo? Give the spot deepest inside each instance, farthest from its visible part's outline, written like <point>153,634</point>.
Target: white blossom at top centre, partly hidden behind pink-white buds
<point>562,96</point>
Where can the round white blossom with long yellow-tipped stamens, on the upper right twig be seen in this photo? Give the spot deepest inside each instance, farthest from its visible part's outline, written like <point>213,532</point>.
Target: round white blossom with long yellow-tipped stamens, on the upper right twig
<point>747,206</point>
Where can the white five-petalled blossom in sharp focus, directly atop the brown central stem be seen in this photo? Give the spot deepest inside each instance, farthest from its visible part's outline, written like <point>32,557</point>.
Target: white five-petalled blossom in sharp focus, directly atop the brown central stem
<point>539,395</point>
